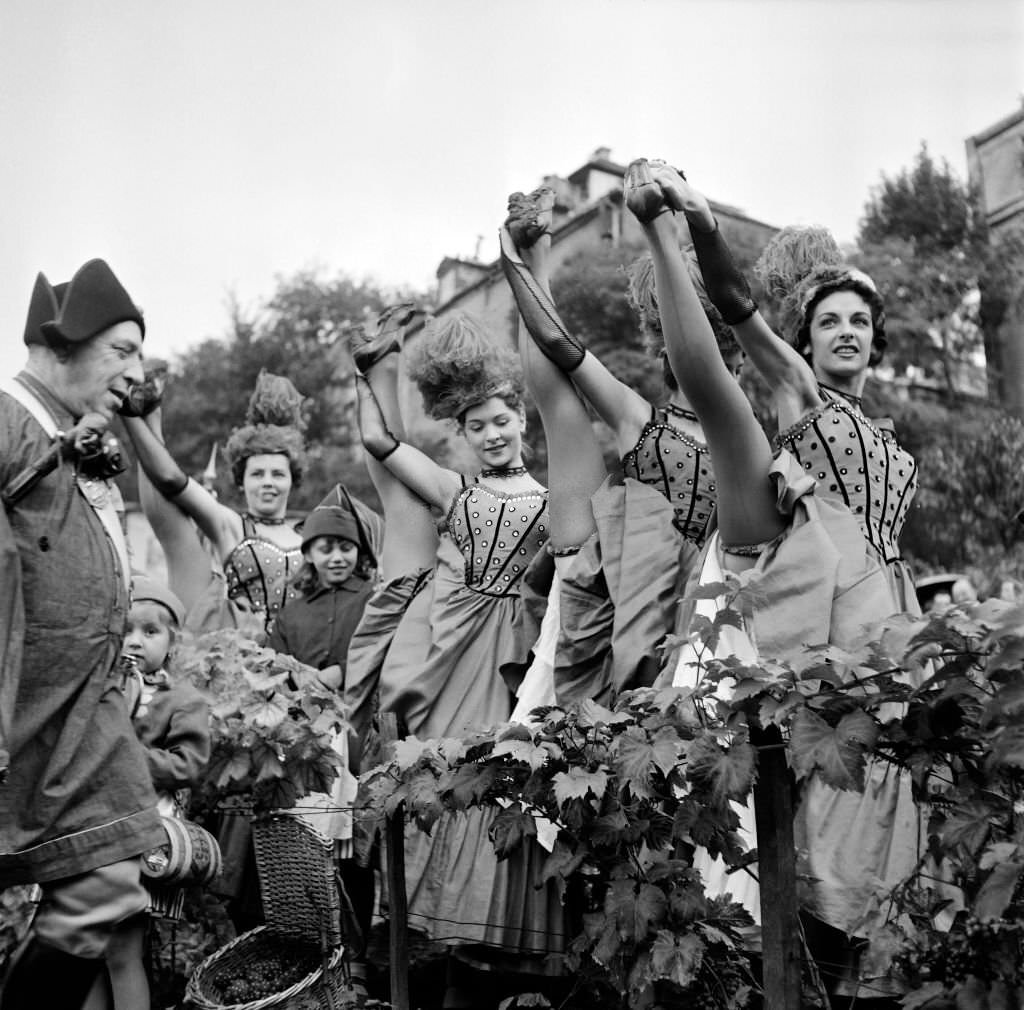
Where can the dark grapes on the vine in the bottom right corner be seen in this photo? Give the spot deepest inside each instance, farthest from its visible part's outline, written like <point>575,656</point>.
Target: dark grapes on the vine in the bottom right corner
<point>987,949</point>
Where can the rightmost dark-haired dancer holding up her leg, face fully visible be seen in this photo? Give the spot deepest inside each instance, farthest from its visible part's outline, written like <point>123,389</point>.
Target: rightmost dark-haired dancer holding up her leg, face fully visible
<point>817,521</point>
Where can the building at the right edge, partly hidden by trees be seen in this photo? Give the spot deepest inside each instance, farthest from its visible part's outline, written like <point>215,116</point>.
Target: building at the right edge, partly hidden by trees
<point>996,171</point>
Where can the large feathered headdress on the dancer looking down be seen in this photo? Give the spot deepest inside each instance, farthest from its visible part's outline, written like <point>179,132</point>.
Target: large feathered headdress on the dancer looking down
<point>457,366</point>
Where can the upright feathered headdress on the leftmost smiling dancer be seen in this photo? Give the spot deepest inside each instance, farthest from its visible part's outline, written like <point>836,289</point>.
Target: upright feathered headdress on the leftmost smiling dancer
<point>275,425</point>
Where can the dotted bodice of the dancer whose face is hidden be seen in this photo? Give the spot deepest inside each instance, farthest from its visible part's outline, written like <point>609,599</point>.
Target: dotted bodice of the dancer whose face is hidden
<point>680,469</point>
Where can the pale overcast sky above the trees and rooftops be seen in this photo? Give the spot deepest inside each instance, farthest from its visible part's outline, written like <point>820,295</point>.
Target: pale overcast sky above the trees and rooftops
<point>207,148</point>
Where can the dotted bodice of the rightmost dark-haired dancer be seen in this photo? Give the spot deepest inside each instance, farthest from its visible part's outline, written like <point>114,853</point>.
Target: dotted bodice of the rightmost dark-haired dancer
<point>860,465</point>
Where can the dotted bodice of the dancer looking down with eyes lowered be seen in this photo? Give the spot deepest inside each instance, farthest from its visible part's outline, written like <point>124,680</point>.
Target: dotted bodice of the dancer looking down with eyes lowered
<point>498,536</point>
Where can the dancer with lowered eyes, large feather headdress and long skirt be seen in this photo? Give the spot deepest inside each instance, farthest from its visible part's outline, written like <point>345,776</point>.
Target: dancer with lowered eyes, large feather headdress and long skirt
<point>441,675</point>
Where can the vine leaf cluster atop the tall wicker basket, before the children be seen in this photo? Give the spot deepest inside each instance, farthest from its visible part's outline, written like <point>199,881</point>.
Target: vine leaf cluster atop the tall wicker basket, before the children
<point>273,723</point>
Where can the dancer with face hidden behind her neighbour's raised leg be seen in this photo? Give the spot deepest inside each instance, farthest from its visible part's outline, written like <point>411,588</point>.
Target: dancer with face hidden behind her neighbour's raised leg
<point>625,546</point>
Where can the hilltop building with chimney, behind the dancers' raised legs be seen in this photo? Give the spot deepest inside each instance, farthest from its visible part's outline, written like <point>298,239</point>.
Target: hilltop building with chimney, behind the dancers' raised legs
<point>589,215</point>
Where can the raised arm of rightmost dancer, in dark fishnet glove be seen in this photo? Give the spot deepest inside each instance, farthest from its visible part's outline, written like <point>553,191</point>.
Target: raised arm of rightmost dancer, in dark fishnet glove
<point>780,363</point>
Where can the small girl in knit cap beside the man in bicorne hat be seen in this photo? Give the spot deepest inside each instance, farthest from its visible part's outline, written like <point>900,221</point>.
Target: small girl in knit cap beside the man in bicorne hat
<point>173,721</point>
